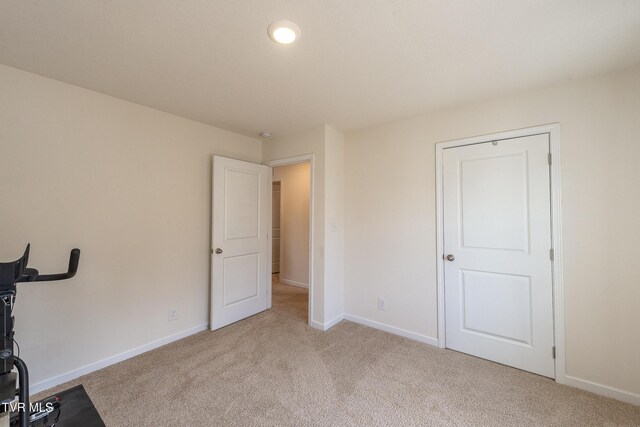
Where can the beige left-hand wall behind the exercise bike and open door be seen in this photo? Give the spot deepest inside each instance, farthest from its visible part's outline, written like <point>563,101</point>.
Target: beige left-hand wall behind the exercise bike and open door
<point>128,185</point>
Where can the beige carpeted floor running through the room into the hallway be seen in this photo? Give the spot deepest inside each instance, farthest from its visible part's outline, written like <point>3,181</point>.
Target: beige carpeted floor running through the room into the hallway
<point>273,369</point>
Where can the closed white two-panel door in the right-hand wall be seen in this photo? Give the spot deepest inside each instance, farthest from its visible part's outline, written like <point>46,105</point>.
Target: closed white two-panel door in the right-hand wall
<point>497,236</point>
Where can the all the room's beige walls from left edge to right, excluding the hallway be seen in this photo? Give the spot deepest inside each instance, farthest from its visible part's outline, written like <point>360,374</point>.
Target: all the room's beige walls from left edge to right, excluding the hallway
<point>130,186</point>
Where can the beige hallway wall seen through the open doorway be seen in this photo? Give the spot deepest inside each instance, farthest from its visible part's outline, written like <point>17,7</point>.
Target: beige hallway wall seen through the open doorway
<point>294,222</point>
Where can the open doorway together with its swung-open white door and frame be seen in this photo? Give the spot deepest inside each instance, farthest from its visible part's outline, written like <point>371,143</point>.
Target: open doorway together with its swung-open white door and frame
<point>242,262</point>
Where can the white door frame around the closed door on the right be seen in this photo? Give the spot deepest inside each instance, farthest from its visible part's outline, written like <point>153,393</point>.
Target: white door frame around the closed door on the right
<point>553,130</point>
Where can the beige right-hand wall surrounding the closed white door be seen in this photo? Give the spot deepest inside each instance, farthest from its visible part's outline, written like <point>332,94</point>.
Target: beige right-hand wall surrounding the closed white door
<point>390,216</point>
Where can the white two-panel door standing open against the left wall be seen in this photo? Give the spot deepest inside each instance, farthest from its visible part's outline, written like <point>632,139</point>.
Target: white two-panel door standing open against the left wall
<point>241,264</point>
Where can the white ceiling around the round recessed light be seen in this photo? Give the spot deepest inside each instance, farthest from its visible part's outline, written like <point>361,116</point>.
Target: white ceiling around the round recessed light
<point>357,63</point>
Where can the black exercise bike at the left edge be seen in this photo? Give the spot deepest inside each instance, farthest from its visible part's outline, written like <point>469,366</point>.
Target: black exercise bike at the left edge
<point>21,412</point>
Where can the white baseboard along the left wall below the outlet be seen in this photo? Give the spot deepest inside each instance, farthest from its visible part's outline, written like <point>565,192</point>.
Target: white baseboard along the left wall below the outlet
<point>103,363</point>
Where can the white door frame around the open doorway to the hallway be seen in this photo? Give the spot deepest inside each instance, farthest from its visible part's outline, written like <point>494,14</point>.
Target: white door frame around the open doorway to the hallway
<point>292,161</point>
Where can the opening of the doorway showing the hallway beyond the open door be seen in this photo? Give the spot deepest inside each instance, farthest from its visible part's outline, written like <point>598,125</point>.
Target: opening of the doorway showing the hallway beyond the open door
<point>291,239</point>
